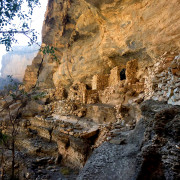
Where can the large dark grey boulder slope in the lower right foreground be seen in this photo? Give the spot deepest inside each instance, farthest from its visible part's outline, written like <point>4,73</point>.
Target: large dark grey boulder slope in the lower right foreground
<point>150,151</point>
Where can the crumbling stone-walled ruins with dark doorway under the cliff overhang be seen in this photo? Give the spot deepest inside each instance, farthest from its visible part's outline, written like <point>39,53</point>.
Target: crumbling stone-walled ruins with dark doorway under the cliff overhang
<point>125,87</point>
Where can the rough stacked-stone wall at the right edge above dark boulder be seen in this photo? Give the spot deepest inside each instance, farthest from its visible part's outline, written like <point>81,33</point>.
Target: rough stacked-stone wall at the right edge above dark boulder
<point>163,80</point>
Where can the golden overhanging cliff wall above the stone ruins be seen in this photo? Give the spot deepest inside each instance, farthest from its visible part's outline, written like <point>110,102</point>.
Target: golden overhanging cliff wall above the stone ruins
<point>94,36</point>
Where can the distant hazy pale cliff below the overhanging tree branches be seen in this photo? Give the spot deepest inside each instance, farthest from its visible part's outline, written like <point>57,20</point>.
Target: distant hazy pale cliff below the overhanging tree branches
<point>15,62</point>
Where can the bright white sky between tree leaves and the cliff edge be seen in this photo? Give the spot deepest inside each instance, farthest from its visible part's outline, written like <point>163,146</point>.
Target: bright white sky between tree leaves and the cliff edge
<point>37,21</point>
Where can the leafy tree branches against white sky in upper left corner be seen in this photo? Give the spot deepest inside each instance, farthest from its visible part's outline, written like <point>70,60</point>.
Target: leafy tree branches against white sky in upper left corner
<point>11,12</point>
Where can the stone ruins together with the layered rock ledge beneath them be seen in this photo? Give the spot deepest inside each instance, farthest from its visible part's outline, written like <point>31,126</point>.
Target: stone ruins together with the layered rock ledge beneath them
<point>82,117</point>
